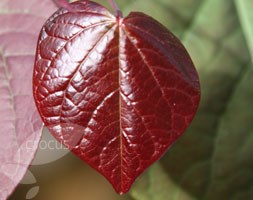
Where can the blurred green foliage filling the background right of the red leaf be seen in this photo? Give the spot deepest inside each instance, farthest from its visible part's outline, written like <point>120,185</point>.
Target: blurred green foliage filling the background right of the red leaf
<point>213,160</point>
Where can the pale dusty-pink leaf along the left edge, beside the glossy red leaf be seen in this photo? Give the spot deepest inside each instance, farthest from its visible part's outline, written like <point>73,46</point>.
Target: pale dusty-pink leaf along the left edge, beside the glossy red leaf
<point>20,123</point>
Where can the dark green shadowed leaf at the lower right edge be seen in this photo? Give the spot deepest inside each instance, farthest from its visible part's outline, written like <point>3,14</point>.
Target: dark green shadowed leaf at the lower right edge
<point>232,160</point>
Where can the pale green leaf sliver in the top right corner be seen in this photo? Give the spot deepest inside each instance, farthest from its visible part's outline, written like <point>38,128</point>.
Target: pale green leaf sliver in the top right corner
<point>245,8</point>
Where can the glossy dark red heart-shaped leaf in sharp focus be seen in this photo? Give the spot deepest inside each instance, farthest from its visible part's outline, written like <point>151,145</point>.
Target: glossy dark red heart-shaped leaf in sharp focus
<point>118,92</point>
